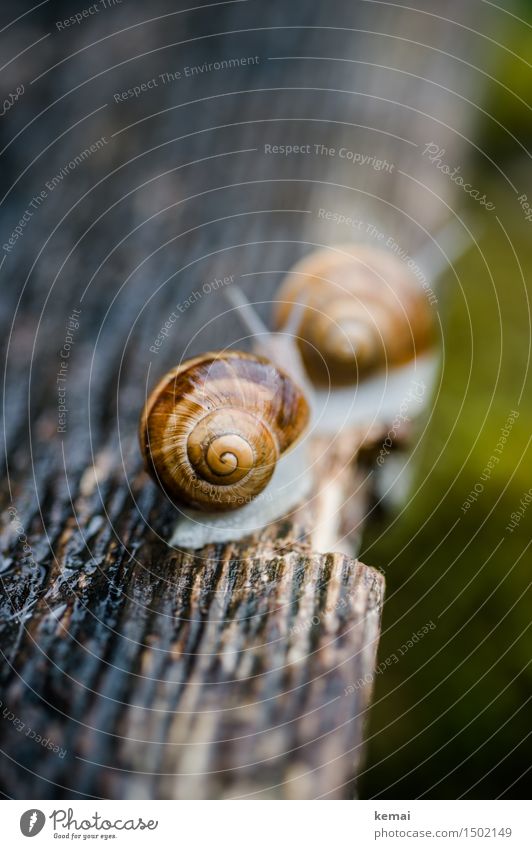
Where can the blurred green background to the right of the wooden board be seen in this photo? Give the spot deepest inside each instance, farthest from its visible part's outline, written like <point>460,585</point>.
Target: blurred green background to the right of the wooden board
<point>456,709</point>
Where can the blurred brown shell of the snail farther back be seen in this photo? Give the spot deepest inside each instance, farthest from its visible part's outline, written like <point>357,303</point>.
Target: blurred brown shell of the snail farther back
<point>364,310</point>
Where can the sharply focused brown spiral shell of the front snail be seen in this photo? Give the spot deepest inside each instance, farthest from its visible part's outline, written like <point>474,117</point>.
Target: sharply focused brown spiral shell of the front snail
<point>214,427</point>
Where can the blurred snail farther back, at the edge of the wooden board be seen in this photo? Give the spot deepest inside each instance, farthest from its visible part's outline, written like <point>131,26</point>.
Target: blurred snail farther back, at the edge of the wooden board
<point>364,325</point>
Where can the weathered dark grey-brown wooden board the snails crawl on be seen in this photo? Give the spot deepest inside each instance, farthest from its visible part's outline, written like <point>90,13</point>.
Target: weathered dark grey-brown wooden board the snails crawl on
<point>153,672</point>
